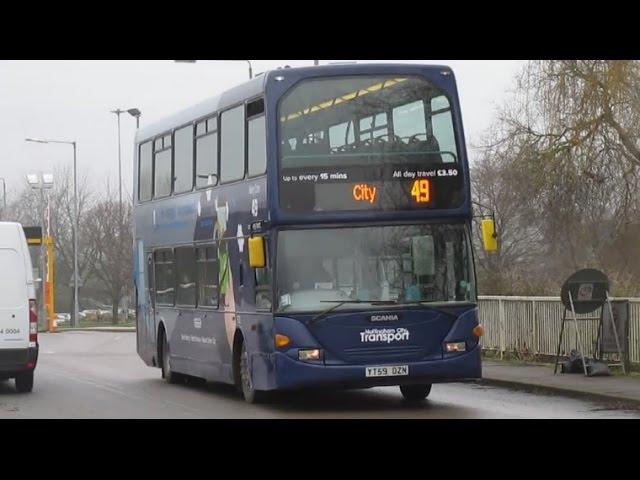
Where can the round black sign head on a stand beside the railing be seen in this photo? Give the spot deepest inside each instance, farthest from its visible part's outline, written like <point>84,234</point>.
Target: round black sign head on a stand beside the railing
<point>589,289</point>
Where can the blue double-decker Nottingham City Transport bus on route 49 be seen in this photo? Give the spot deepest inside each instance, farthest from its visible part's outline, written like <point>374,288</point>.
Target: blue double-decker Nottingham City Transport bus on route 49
<point>310,228</point>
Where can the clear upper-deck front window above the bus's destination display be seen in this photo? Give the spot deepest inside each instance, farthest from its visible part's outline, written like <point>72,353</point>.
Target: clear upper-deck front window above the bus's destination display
<point>354,112</point>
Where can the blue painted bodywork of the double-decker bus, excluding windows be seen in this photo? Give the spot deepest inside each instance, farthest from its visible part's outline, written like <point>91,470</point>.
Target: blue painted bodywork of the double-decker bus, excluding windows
<point>200,342</point>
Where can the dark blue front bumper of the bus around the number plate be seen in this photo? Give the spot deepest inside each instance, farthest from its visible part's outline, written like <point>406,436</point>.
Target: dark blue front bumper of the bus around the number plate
<point>293,374</point>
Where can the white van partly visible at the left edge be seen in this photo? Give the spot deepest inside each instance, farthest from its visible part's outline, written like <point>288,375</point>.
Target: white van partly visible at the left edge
<point>18,314</point>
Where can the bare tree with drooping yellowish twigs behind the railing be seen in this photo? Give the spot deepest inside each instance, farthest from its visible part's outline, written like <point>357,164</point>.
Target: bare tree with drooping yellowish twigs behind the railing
<point>561,172</point>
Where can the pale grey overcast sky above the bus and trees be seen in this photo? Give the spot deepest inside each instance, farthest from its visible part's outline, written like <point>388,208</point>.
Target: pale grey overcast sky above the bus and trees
<point>71,100</point>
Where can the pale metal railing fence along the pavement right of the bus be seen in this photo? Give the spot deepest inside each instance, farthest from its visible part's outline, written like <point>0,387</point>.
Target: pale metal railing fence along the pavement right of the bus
<point>531,325</point>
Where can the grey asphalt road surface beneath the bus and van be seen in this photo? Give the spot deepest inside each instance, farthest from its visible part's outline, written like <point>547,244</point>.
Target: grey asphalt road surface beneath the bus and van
<point>99,375</point>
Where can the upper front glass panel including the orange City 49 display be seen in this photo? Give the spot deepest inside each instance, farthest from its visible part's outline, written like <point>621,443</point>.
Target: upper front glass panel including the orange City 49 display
<point>357,143</point>
